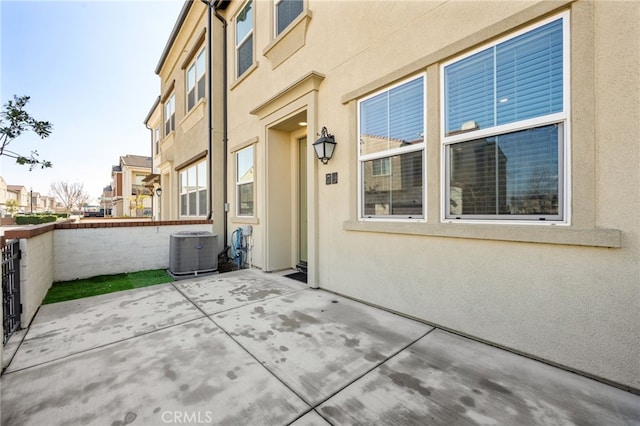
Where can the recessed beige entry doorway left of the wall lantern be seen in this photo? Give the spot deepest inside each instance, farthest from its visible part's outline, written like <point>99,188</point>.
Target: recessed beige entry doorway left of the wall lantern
<point>287,225</point>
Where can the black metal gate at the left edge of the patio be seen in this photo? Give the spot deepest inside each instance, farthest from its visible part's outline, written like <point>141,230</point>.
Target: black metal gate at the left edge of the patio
<point>11,306</point>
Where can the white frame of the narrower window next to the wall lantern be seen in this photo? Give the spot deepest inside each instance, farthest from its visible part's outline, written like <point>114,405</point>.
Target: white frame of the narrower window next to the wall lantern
<point>392,152</point>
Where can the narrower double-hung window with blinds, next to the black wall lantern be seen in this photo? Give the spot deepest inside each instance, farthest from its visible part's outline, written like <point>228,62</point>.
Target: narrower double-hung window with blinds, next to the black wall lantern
<point>391,154</point>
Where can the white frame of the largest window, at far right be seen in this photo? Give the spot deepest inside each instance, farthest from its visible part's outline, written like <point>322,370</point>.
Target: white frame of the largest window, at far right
<point>563,118</point>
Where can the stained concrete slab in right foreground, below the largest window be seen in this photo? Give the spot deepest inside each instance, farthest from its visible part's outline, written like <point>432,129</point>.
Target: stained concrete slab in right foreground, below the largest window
<point>448,379</point>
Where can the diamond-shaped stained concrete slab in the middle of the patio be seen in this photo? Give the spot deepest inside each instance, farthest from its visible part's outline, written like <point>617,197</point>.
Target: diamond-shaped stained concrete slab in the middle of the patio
<point>317,342</point>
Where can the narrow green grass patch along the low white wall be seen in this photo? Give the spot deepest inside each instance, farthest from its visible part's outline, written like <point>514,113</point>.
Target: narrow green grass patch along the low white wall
<point>103,284</point>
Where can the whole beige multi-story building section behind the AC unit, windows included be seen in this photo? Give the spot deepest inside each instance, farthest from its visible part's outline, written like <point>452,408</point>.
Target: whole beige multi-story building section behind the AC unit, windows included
<point>185,123</point>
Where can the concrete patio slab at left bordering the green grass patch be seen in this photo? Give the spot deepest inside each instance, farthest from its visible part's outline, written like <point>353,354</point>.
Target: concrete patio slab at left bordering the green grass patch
<point>66,328</point>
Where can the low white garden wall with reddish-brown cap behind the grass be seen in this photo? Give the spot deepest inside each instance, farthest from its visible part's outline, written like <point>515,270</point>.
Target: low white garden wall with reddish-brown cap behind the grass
<point>68,251</point>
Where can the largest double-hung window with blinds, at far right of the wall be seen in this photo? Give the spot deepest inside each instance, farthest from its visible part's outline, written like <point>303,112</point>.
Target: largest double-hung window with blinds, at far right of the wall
<point>505,126</point>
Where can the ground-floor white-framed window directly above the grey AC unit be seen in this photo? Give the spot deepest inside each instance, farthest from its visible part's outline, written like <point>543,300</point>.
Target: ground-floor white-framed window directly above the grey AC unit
<point>193,190</point>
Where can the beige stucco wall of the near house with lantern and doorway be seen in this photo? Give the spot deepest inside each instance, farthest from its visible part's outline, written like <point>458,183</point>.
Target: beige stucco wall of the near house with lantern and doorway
<point>567,294</point>
